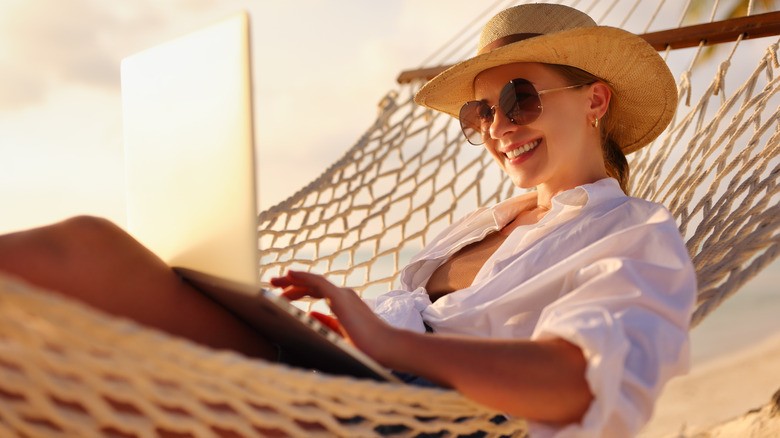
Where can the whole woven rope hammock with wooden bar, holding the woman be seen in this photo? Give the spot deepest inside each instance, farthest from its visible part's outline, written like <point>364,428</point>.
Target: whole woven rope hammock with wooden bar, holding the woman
<point>68,370</point>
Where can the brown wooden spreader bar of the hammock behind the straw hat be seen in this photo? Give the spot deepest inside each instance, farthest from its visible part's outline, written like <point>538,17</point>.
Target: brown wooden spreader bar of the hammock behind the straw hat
<point>753,26</point>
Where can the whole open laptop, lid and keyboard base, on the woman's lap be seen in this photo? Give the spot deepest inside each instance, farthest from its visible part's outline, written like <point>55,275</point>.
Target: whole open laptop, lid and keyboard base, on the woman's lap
<point>192,186</point>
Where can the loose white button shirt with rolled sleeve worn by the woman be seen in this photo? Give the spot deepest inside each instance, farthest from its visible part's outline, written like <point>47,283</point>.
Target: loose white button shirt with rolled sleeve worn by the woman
<point>605,271</point>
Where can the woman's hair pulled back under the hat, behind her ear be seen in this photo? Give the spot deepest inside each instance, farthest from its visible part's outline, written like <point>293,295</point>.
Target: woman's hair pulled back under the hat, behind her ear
<point>614,159</point>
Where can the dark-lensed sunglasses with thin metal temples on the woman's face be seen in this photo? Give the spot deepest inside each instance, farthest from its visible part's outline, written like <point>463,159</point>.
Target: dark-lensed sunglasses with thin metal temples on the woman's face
<point>519,100</point>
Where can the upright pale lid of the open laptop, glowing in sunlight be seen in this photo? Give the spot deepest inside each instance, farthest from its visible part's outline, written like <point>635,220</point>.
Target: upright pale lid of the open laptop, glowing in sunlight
<point>191,187</point>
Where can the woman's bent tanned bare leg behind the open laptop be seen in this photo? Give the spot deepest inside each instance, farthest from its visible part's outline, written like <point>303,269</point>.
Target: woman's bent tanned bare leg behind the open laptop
<point>95,261</point>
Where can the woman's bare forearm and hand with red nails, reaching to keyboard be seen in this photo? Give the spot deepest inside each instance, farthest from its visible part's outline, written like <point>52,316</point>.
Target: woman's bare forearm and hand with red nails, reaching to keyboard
<point>536,380</point>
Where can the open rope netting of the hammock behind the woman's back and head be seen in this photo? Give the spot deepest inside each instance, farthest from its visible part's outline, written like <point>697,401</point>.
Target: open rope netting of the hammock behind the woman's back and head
<point>412,173</point>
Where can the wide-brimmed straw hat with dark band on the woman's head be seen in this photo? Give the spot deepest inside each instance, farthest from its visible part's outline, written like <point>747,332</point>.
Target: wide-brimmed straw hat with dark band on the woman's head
<point>645,90</point>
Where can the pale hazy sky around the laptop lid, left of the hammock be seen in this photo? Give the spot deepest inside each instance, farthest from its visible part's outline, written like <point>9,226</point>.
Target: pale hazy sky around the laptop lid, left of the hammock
<point>320,68</point>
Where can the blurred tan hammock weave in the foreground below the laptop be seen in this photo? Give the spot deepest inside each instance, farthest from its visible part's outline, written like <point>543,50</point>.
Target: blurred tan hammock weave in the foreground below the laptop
<point>66,370</point>
